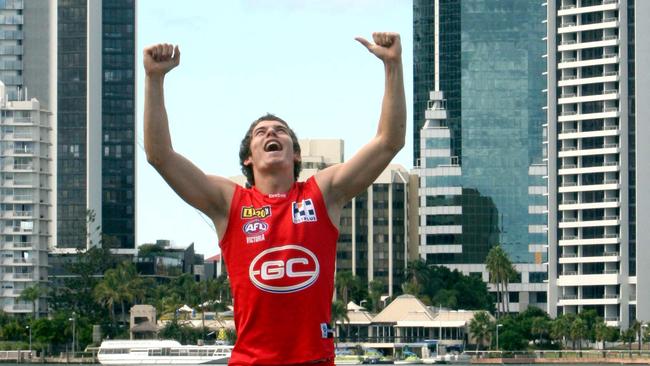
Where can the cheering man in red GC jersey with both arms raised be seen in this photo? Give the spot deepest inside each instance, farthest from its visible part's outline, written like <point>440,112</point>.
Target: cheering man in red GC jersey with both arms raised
<point>279,237</point>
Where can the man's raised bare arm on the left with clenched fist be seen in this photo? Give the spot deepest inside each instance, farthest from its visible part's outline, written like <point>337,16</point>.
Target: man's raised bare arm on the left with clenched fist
<point>210,194</point>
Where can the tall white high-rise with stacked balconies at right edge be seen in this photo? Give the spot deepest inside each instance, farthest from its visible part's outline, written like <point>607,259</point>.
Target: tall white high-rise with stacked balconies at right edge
<point>599,201</point>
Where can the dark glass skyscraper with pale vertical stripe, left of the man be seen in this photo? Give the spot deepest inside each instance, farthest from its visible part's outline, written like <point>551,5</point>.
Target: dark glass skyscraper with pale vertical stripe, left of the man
<point>95,122</point>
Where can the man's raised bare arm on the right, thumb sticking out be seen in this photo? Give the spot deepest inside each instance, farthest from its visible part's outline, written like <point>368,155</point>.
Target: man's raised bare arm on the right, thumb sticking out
<point>342,182</point>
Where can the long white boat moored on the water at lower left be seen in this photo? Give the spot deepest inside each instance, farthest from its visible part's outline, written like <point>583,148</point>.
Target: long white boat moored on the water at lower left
<point>156,352</point>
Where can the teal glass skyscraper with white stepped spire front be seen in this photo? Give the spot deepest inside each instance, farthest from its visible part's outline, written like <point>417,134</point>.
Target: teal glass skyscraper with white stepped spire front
<point>478,85</point>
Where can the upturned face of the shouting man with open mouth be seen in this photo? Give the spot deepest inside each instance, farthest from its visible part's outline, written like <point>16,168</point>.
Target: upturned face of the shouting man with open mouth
<point>271,145</point>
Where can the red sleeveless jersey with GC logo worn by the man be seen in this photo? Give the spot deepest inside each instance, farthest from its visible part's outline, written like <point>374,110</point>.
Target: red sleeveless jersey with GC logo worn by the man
<point>280,252</point>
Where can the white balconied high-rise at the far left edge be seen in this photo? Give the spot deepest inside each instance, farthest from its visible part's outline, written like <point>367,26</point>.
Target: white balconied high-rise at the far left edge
<point>25,195</point>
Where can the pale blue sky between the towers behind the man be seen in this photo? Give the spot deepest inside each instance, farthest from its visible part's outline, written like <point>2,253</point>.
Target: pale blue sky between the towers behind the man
<point>243,58</point>
